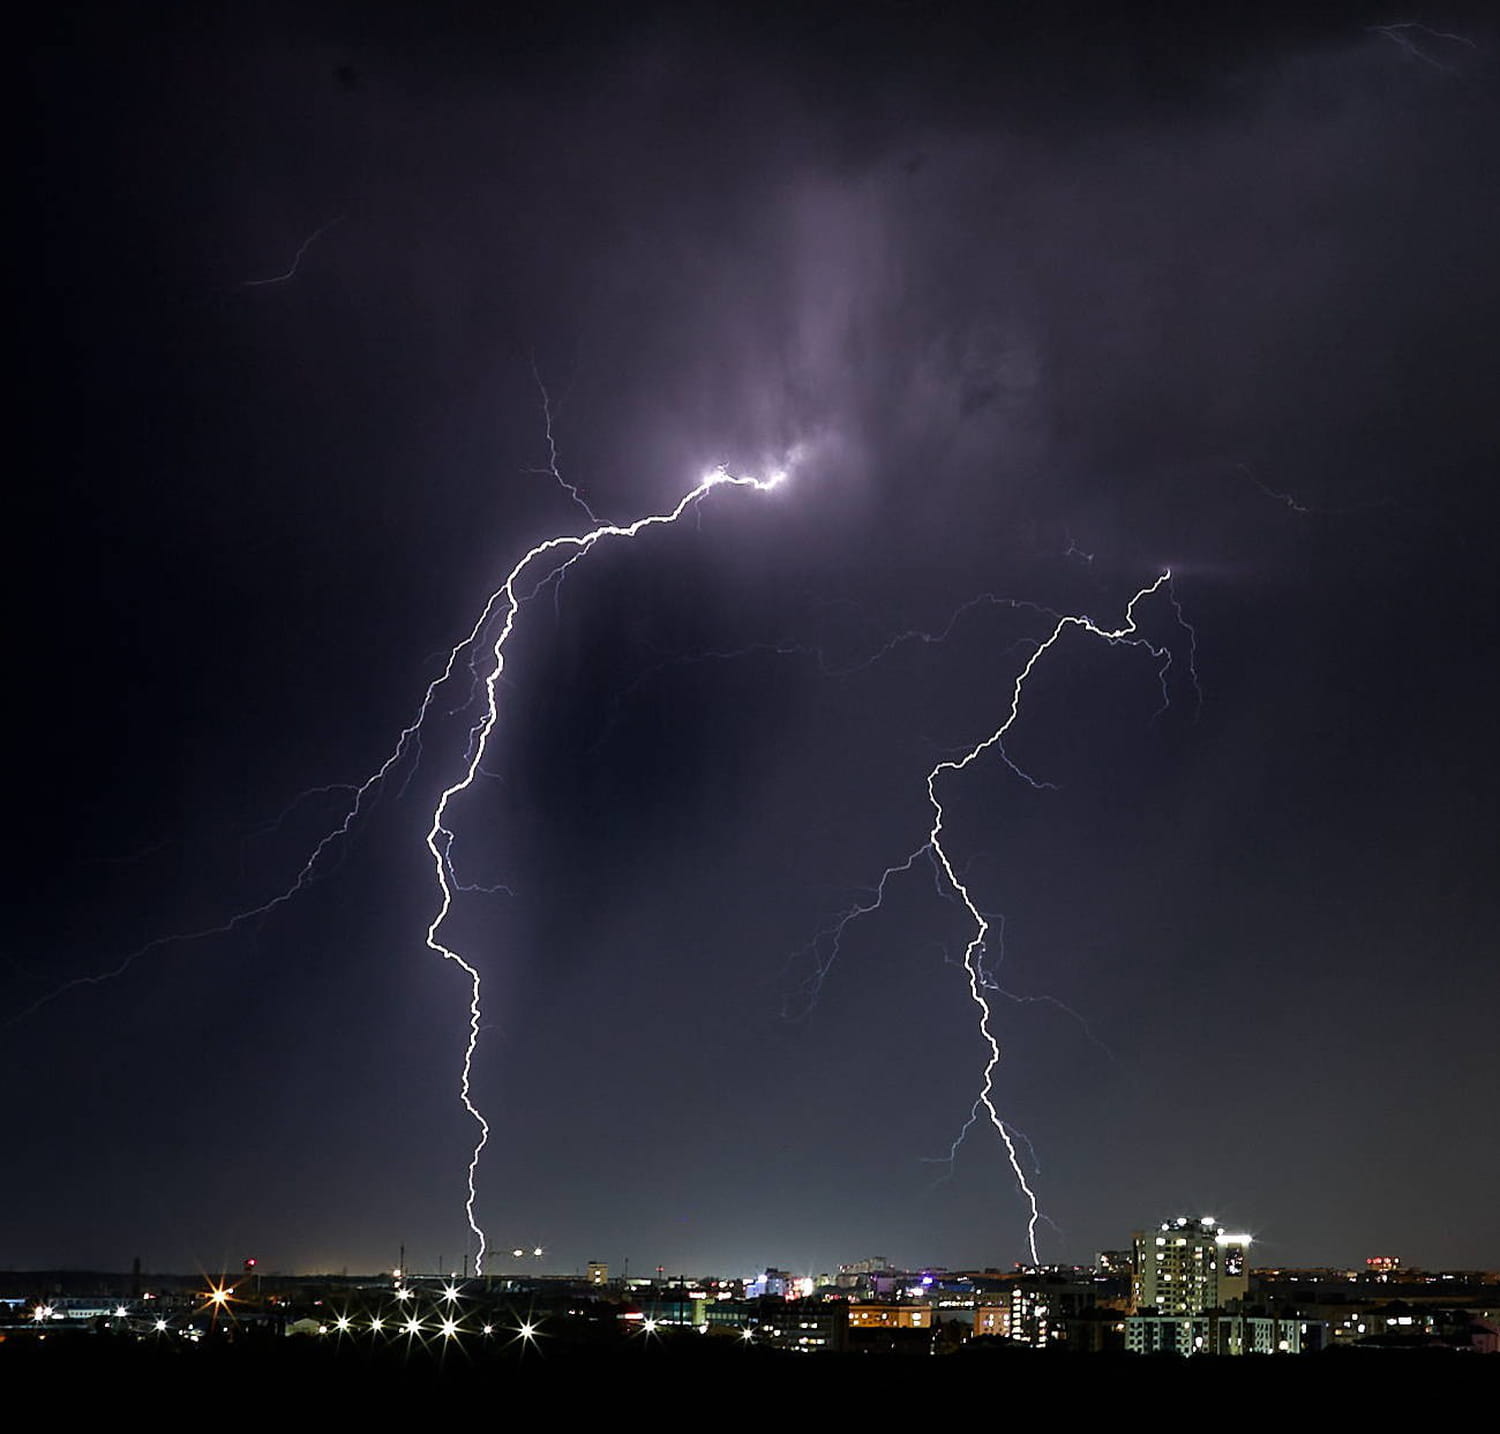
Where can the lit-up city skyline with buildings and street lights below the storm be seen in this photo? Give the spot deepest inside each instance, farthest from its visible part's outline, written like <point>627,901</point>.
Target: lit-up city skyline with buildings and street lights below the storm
<point>1183,1291</point>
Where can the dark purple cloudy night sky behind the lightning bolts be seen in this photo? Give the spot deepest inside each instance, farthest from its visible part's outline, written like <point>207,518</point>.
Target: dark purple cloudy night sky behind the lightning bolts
<point>1049,301</point>
